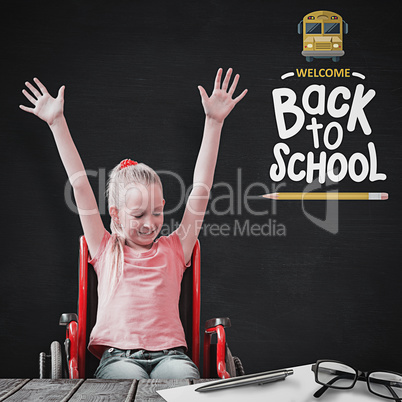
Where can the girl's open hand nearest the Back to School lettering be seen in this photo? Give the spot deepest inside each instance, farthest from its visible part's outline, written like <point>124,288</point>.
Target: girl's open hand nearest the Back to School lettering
<point>220,103</point>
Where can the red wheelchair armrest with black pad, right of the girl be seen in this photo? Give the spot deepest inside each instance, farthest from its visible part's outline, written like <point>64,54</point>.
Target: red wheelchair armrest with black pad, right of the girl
<point>212,326</point>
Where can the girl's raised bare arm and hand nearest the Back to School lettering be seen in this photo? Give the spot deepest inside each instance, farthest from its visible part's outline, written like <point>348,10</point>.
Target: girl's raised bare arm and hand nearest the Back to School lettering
<point>217,107</point>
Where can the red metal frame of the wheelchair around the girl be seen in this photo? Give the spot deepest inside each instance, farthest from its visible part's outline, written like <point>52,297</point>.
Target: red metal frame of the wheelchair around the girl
<point>77,334</point>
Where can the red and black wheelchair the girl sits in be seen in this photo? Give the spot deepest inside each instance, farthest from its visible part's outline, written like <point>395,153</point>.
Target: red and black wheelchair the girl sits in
<point>77,362</point>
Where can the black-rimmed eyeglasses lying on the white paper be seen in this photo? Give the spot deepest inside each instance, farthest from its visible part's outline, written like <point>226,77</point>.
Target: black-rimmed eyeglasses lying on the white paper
<point>334,374</point>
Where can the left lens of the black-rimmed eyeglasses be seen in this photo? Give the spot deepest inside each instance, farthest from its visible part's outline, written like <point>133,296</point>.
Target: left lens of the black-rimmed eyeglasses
<point>336,375</point>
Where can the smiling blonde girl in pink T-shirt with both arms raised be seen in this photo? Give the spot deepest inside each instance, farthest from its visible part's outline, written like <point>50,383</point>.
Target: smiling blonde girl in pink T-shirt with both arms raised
<point>138,333</point>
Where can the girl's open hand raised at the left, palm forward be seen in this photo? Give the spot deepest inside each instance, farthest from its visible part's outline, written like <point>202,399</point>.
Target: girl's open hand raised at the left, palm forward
<point>46,107</point>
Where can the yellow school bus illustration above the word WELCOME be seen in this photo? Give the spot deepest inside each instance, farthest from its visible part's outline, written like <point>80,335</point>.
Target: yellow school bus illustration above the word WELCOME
<point>322,35</point>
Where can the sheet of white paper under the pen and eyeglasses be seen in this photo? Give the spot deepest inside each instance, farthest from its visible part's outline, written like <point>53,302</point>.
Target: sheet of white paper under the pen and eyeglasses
<point>298,387</point>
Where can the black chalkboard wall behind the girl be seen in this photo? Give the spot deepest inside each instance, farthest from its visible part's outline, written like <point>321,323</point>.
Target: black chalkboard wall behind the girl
<point>296,290</point>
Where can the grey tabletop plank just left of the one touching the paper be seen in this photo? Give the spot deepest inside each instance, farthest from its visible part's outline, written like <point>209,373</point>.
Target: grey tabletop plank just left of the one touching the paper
<point>100,390</point>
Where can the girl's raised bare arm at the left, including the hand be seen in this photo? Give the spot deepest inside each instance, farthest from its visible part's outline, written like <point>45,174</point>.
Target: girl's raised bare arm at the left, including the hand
<point>50,110</point>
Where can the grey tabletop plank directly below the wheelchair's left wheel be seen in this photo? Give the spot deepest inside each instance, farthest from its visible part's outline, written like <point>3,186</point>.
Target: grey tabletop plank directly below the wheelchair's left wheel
<point>48,390</point>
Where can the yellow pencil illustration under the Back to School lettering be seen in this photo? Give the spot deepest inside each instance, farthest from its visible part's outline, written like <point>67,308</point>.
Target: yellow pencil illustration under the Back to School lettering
<point>327,196</point>
